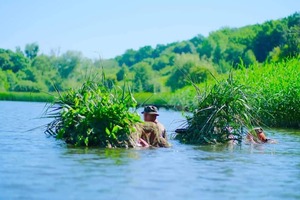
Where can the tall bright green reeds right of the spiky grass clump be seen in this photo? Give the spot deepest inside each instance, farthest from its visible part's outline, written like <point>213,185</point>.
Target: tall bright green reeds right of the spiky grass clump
<point>275,88</point>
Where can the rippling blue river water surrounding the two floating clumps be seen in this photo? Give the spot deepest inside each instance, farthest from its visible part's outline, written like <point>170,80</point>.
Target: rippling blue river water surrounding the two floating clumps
<point>34,166</point>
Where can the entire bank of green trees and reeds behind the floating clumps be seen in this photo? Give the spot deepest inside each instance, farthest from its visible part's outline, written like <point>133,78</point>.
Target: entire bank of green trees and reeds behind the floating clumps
<point>262,57</point>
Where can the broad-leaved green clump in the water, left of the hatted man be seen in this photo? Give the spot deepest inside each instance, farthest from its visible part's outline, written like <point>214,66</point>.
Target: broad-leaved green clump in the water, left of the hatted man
<point>94,115</point>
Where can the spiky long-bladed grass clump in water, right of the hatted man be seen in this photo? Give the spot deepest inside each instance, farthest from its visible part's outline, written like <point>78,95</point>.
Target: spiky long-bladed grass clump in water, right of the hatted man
<point>221,114</point>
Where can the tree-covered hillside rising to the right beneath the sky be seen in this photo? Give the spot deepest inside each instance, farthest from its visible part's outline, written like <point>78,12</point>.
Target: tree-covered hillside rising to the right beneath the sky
<point>165,68</point>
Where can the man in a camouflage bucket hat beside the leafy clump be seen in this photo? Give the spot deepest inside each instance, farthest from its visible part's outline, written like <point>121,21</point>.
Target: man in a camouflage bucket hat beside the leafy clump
<point>150,115</point>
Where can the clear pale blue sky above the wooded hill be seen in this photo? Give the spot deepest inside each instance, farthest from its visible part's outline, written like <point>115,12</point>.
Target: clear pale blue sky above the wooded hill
<point>108,28</point>
